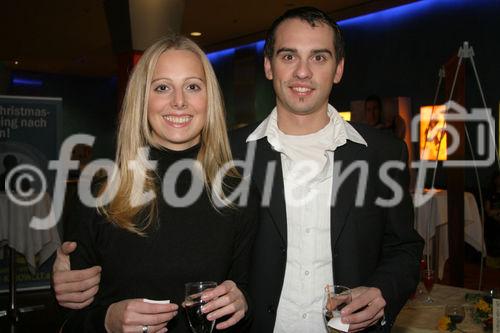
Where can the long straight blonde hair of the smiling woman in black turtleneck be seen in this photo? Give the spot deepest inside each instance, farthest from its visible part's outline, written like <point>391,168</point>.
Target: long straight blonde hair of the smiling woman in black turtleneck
<point>134,132</point>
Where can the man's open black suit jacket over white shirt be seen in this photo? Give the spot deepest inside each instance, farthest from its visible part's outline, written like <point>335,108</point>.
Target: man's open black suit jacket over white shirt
<point>371,245</point>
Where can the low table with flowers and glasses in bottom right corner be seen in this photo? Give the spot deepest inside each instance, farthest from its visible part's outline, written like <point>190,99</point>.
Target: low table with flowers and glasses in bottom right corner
<point>419,317</point>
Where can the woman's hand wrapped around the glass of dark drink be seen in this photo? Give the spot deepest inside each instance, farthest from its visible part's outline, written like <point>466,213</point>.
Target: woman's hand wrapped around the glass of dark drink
<point>225,300</point>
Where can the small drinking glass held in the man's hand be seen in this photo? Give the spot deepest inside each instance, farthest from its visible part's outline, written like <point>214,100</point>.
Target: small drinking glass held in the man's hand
<point>335,299</point>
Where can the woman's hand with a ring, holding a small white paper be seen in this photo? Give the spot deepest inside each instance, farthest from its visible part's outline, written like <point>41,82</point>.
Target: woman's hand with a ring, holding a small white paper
<point>132,315</point>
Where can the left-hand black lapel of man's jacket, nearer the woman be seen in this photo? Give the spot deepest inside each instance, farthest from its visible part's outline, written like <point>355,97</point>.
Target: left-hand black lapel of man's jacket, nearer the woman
<point>265,154</point>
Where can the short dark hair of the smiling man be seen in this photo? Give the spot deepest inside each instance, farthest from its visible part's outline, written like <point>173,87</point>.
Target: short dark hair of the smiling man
<point>313,16</point>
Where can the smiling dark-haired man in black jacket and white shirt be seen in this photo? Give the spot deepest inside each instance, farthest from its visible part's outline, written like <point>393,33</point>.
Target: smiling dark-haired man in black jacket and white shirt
<point>312,232</point>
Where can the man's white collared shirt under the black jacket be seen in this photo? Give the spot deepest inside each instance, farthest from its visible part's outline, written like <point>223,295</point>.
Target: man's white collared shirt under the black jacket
<point>307,165</point>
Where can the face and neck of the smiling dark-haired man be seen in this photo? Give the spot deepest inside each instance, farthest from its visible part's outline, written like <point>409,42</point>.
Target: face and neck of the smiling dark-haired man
<point>303,68</point>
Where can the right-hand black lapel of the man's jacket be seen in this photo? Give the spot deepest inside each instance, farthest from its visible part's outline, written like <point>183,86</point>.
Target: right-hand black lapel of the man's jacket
<point>346,194</point>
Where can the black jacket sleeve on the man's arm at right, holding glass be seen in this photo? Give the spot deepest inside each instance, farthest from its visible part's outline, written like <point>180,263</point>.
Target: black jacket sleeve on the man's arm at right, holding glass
<point>397,274</point>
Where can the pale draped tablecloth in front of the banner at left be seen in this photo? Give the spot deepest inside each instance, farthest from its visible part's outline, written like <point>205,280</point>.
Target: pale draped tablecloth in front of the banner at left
<point>16,232</point>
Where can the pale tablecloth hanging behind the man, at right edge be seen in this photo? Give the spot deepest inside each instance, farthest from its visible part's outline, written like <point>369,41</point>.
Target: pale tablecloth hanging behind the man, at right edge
<point>432,217</point>
